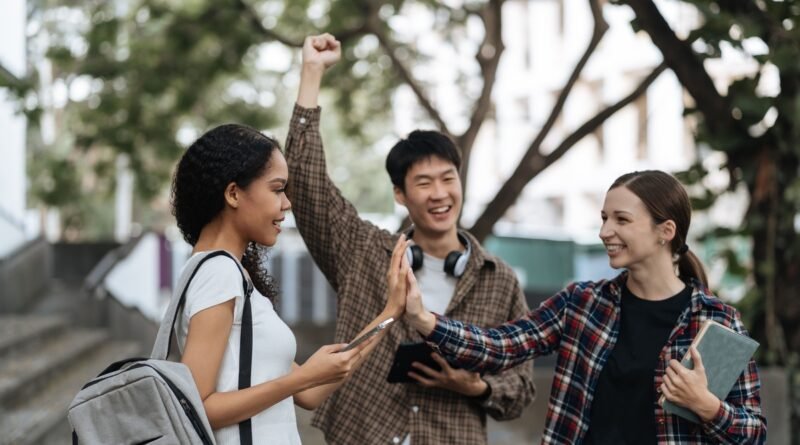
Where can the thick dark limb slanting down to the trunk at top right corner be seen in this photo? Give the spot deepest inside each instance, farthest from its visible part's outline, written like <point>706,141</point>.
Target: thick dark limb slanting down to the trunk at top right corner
<point>689,69</point>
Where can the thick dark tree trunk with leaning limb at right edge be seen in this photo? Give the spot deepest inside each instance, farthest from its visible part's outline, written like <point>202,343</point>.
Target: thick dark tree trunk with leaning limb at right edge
<point>767,163</point>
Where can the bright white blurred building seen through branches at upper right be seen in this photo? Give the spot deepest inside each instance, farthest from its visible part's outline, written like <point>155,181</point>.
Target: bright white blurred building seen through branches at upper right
<point>543,42</point>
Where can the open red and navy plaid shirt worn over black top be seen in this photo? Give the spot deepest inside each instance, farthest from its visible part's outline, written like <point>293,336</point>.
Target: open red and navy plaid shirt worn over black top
<point>581,325</point>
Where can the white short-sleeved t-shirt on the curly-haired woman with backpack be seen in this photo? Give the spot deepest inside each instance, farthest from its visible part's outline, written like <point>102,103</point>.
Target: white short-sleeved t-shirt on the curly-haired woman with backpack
<point>218,280</point>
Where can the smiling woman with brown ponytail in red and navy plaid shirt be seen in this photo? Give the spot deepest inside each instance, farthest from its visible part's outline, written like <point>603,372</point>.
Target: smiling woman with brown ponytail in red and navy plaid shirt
<point>619,341</point>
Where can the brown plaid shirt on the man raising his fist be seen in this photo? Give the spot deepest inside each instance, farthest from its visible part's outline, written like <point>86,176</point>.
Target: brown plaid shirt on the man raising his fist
<point>354,255</point>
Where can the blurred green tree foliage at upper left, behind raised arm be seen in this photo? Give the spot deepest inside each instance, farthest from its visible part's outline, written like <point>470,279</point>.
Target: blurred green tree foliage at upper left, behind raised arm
<point>140,73</point>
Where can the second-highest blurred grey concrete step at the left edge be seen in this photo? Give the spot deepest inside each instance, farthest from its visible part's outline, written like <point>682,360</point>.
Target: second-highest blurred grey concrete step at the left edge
<point>26,373</point>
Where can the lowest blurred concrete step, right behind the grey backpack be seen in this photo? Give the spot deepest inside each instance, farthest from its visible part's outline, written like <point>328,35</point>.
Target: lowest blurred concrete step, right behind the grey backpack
<point>42,417</point>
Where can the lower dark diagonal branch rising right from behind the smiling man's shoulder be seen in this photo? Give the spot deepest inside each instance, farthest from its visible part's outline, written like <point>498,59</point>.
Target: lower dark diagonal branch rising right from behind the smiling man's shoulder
<point>530,168</point>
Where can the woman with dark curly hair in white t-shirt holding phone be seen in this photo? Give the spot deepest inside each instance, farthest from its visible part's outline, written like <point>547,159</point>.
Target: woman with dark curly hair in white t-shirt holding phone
<point>228,194</point>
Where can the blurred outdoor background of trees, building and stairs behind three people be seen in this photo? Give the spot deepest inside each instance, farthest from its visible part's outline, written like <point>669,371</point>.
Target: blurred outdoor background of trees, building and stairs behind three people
<point>549,101</point>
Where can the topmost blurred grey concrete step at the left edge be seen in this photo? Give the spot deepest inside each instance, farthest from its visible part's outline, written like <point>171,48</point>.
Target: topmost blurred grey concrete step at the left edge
<point>21,333</point>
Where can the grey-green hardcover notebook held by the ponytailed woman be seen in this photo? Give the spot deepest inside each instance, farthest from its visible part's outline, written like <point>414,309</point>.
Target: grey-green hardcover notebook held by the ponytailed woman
<point>725,355</point>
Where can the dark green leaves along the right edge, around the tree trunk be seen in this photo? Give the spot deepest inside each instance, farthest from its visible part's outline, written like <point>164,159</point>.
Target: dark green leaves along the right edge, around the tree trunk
<point>762,148</point>
